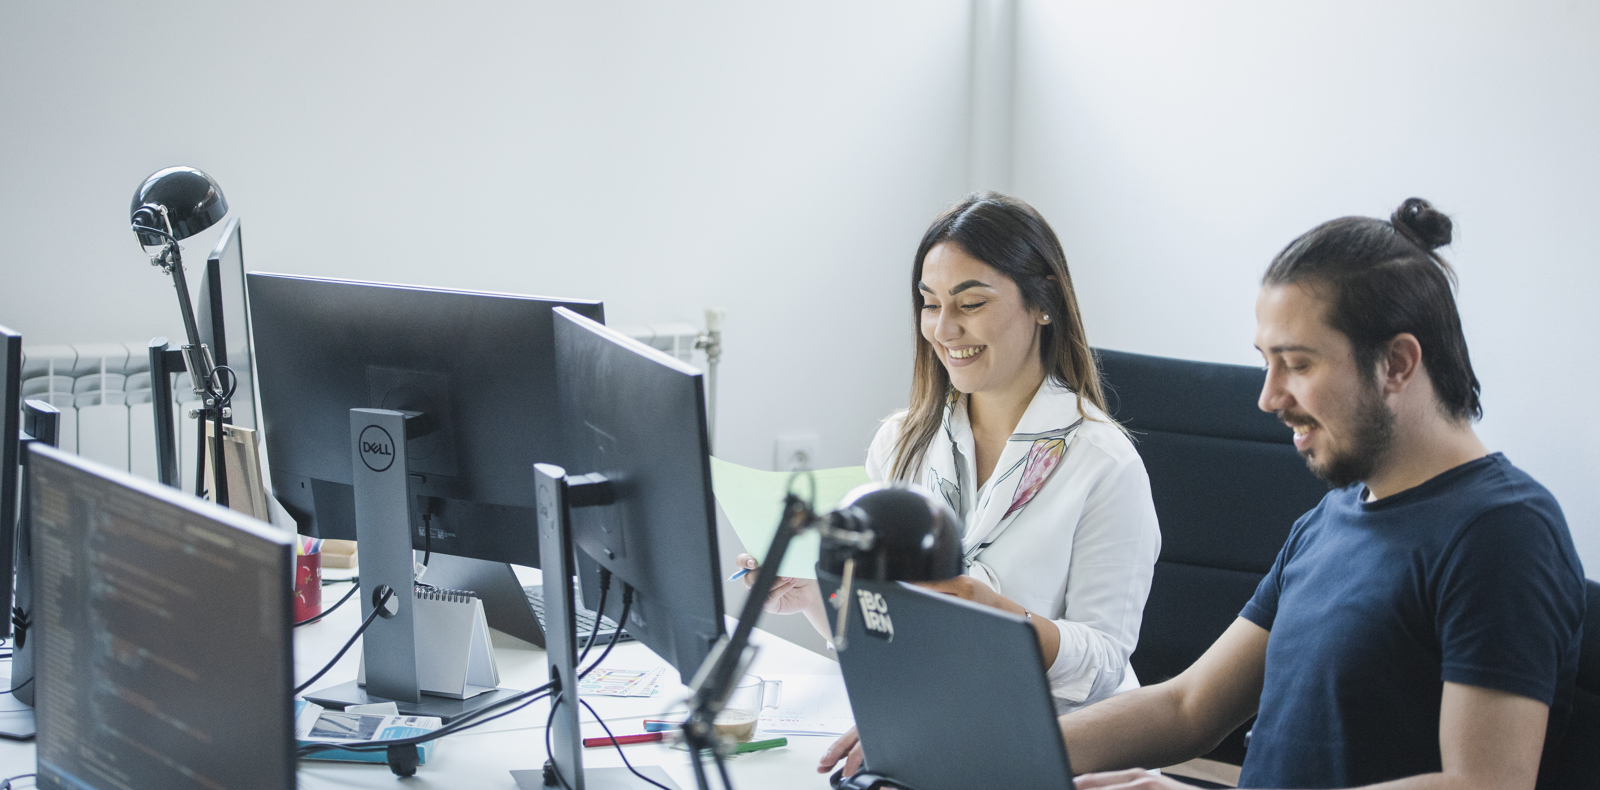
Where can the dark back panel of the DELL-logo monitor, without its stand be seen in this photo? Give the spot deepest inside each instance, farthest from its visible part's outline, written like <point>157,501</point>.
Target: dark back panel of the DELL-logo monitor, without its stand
<point>478,367</point>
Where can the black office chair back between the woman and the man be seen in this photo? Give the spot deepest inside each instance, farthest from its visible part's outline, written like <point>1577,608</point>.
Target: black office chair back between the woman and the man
<point>1228,487</point>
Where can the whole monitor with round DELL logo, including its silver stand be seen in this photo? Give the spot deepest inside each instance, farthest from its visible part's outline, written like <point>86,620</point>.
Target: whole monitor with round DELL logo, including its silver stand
<point>455,394</point>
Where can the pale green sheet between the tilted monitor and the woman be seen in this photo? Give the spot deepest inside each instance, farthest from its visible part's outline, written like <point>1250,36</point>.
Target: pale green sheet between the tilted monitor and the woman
<point>754,500</point>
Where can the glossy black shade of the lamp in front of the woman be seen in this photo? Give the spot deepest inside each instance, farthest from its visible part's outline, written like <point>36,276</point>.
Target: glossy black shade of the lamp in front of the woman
<point>918,538</point>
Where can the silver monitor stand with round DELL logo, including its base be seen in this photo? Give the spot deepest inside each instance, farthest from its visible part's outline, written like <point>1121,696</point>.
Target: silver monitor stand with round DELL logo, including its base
<point>383,537</point>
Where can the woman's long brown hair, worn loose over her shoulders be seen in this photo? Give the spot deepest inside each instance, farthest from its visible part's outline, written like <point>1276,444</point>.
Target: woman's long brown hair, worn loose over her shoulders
<point>1012,237</point>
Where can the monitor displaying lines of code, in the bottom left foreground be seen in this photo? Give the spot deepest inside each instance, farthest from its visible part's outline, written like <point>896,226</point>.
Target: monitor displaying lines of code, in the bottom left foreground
<point>164,636</point>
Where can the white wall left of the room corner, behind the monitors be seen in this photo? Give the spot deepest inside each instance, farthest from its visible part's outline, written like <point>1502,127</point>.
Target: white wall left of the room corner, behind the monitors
<point>777,161</point>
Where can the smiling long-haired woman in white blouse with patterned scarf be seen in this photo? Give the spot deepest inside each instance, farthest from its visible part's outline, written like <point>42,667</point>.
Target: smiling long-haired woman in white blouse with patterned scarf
<point>1009,425</point>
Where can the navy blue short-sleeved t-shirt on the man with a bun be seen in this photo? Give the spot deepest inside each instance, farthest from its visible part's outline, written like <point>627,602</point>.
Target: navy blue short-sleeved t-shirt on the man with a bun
<point>1470,578</point>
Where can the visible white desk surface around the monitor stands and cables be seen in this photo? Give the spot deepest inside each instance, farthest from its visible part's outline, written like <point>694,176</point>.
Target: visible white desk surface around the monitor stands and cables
<point>484,757</point>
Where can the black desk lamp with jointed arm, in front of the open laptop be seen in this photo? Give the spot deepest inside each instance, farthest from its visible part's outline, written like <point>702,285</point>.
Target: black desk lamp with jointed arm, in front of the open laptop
<point>886,533</point>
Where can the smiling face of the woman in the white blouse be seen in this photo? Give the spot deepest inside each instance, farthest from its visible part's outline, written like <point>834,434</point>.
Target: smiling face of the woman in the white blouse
<point>978,324</point>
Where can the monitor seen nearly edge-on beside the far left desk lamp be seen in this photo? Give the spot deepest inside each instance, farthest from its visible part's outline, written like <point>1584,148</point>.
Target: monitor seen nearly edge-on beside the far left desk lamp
<point>225,319</point>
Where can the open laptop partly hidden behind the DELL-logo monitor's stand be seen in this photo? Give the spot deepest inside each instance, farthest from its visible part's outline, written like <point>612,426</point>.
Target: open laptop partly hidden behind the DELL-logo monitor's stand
<point>508,605</point>
